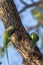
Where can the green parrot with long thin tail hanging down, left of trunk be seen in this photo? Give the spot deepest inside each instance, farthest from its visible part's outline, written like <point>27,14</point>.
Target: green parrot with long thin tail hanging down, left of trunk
<point>6,38</point>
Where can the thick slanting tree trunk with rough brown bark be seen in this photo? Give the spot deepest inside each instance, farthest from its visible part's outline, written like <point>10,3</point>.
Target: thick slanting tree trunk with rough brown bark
<point>20,38</point>
